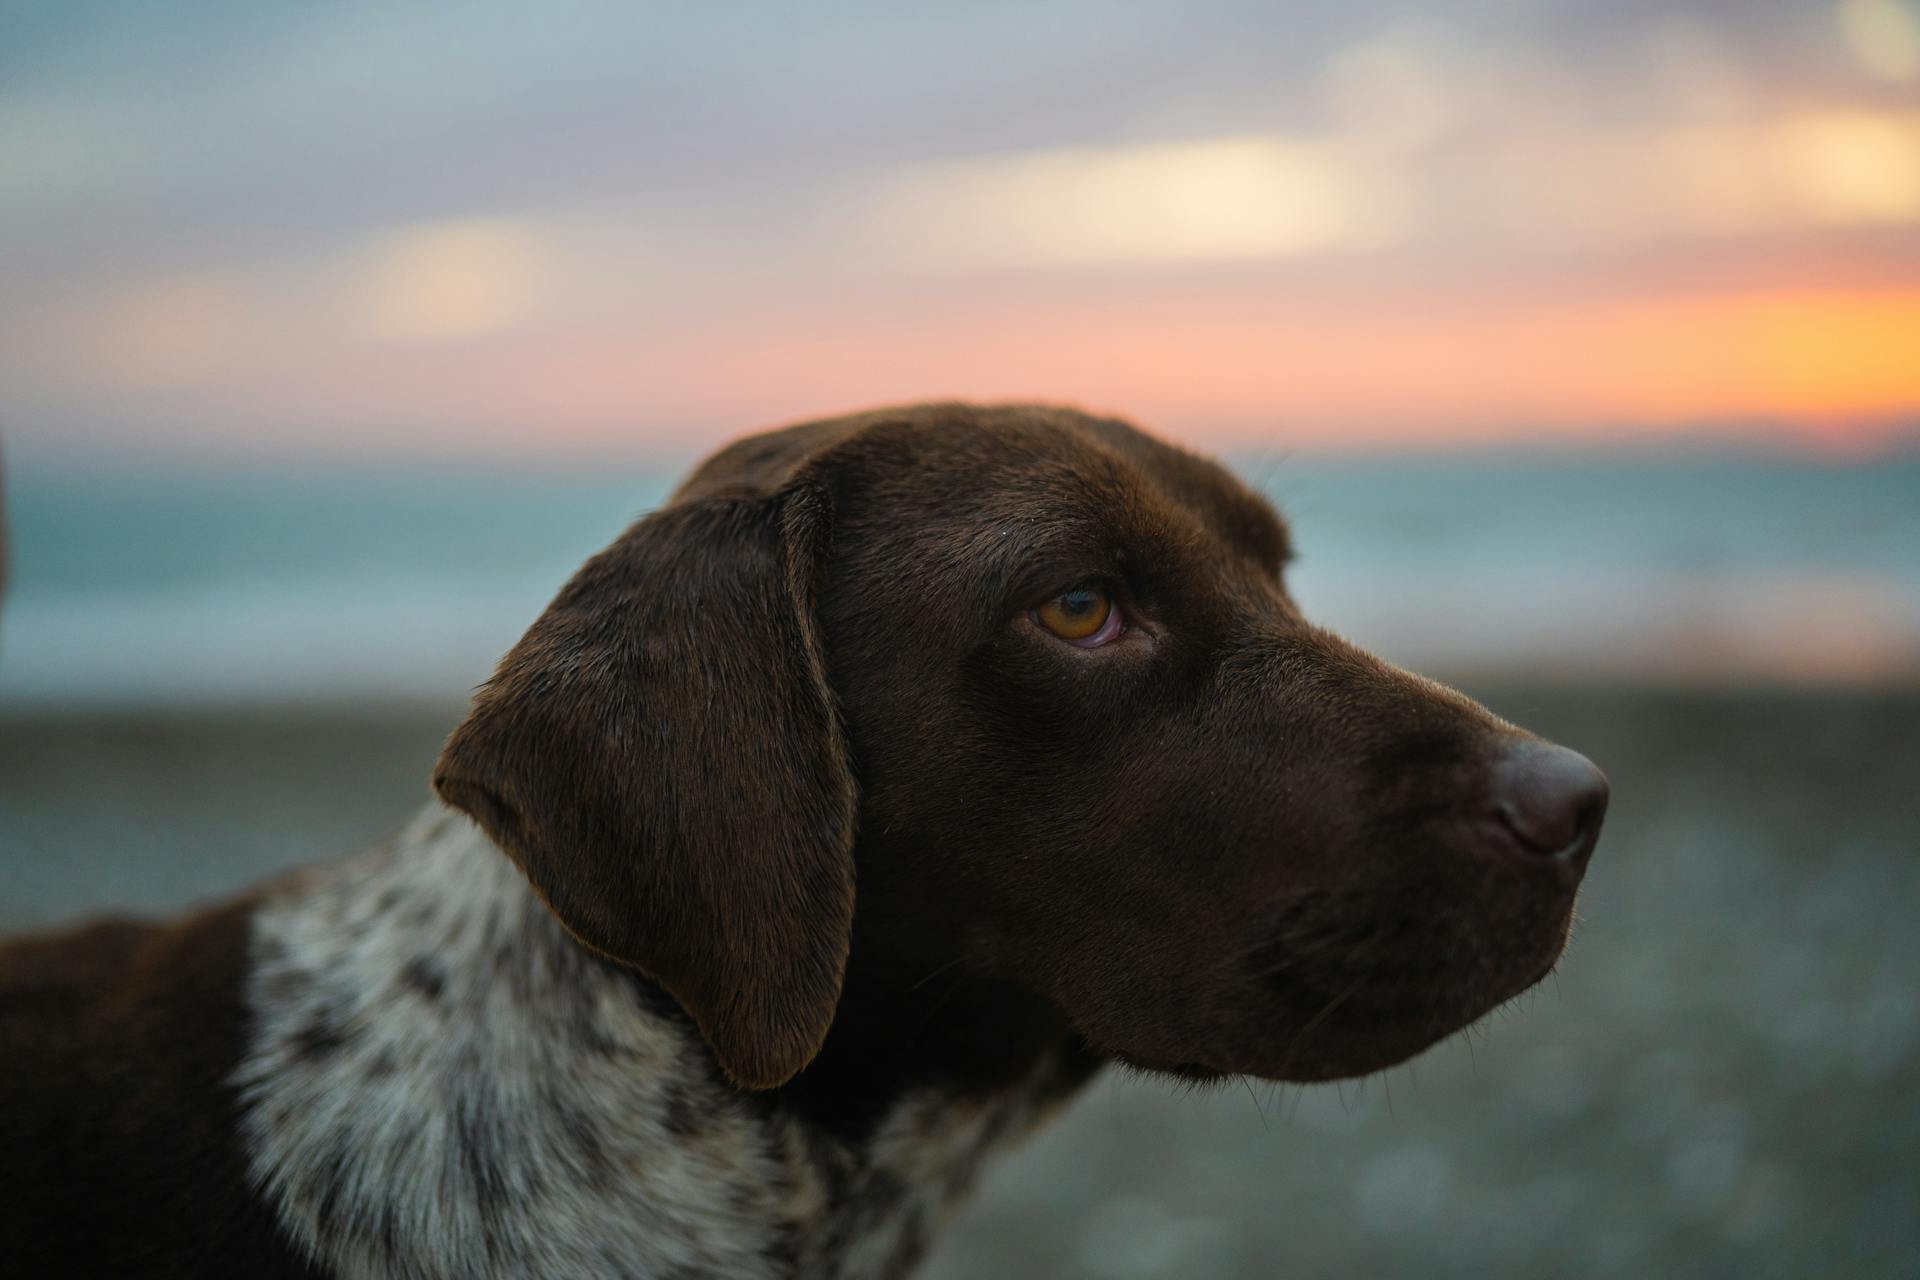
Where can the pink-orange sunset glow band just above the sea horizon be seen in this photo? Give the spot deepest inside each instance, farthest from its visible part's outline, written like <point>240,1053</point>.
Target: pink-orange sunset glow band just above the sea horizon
<point>1833,367</point>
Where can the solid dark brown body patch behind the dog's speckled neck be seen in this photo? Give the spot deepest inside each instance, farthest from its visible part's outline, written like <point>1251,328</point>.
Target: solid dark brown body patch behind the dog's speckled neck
<point>120,1131</point>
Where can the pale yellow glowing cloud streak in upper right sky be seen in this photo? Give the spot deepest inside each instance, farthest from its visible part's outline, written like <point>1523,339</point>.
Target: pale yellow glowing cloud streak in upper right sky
<point>1276,197</point>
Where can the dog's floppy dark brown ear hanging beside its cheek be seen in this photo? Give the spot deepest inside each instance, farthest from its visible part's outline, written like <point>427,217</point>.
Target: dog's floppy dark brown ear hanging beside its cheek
<point>663,759</point>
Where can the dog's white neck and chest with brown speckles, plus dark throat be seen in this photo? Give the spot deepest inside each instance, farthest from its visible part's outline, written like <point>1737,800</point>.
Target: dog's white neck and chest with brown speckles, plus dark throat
<point>443,1083</point>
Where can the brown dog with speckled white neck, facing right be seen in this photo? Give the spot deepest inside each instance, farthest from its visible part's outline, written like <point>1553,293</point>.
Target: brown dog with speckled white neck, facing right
<point>821,840</point>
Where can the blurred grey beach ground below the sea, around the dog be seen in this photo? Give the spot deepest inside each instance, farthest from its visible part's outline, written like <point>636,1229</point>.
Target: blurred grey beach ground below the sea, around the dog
<point>1721,1079</point>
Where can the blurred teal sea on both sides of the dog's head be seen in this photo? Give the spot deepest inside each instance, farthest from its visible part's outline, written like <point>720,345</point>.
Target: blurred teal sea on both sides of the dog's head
<point>174,586</point>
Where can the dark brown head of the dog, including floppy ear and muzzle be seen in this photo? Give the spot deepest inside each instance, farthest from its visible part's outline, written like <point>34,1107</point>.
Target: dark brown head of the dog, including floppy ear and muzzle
<point>1034,682</point>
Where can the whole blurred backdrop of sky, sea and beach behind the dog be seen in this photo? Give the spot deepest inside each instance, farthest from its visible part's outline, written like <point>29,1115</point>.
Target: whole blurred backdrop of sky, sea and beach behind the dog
<point>1581,341</point>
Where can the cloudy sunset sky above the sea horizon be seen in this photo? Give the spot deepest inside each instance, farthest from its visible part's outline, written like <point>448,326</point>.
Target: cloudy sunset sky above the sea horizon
<point>565,231</point>
